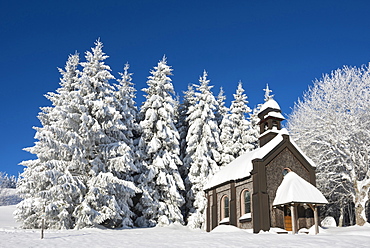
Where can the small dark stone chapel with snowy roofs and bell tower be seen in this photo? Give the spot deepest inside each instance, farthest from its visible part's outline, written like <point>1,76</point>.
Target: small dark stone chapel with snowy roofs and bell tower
<point>249,192</point>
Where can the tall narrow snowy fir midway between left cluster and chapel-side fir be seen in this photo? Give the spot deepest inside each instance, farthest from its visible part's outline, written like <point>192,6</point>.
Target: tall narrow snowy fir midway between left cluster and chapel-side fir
<point>160,180</point>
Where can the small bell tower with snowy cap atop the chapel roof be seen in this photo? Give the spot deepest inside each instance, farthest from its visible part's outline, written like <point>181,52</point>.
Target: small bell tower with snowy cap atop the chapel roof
<point>270,121</point>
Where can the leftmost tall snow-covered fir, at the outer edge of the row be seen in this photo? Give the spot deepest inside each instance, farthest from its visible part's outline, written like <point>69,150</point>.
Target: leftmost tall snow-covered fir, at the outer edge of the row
<point>48,185</point>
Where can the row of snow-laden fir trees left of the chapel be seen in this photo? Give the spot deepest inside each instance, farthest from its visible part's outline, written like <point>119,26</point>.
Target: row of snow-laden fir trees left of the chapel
<point>101,160</point>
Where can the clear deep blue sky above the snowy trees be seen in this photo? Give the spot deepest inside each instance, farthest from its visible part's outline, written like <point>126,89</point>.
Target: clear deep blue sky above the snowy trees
<point>286,44</point>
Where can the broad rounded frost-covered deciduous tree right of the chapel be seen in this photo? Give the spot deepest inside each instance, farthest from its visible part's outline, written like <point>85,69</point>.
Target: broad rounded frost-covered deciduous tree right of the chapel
<point>331,125</point>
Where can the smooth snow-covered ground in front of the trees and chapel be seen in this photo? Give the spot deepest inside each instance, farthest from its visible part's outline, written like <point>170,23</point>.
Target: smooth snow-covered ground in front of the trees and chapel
<point>175,236</point>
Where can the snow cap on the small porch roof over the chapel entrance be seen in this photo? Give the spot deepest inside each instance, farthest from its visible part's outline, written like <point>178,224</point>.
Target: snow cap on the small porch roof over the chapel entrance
<point>293,188</point>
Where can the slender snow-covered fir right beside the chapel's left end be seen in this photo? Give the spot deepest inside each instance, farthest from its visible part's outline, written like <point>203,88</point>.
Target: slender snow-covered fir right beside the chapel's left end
<point>203,145</point>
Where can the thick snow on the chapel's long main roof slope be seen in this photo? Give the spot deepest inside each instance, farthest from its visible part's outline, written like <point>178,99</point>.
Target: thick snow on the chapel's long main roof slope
<point>242,166</point>
